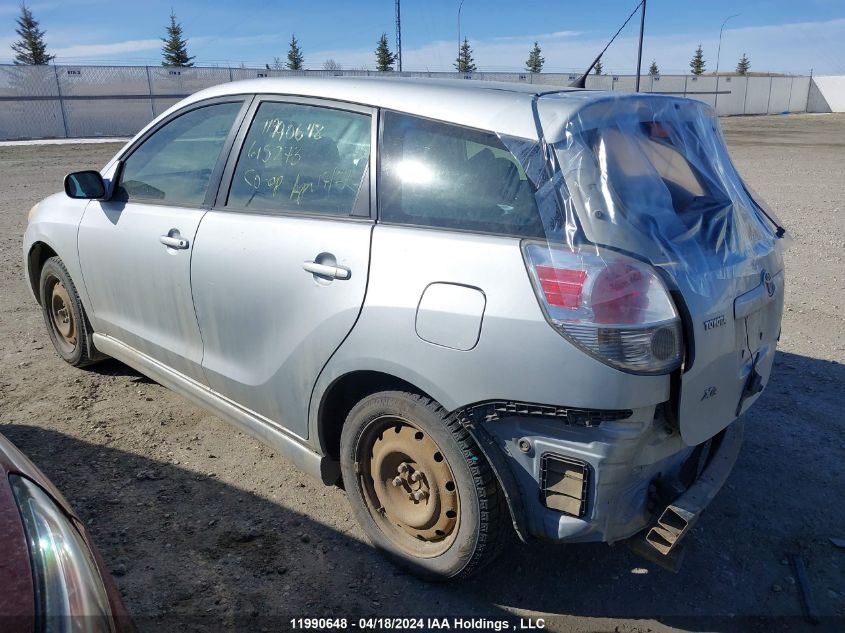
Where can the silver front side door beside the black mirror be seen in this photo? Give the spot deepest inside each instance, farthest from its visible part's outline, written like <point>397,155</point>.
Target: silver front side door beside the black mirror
<point>135,248</point>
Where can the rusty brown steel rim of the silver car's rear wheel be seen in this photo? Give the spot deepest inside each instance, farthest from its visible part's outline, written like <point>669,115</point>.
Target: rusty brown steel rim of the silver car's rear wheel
<point>408,486</point>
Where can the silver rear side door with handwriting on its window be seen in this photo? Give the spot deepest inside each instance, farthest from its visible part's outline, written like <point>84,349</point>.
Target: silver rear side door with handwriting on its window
<point>280,264</point>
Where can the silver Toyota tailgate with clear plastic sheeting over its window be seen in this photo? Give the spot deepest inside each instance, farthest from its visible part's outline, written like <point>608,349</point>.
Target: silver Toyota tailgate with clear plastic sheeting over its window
<point>650,176</point>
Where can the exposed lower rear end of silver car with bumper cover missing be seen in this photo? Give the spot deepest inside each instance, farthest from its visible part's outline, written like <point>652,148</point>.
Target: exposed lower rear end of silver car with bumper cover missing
<point>625,480</point>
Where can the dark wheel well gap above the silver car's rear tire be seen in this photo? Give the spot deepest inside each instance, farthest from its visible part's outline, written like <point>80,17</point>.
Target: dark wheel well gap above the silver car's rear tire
<point>343,394</point>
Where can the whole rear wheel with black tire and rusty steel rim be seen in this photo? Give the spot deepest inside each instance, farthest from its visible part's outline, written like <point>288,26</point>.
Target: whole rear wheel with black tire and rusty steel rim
<point>420,487</point>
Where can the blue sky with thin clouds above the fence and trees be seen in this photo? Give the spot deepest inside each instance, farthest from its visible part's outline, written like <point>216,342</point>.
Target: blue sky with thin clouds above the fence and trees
<point>777,35</point>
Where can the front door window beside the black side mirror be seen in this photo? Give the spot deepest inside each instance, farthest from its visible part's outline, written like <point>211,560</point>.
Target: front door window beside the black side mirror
<point>174,165</point>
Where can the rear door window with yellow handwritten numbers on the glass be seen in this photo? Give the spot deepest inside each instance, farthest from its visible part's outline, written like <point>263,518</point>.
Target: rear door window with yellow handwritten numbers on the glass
<point>302,159</point>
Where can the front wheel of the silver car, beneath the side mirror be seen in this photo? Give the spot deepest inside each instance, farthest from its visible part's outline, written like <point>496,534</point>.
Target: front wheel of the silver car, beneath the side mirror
<point>64,315</point>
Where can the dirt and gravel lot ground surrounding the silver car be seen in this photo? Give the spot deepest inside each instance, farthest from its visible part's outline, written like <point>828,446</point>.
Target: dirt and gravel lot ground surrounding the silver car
<point>206,530</point>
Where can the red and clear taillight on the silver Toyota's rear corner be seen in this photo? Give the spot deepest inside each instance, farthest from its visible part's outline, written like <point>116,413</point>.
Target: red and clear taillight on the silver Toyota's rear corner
<point>614,307</point>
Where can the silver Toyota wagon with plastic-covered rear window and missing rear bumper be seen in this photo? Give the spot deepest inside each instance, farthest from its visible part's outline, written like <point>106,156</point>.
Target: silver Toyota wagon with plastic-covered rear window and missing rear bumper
<point>474,305</point>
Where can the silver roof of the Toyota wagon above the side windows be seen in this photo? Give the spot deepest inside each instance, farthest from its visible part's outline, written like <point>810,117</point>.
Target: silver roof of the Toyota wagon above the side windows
<point>488,105</point>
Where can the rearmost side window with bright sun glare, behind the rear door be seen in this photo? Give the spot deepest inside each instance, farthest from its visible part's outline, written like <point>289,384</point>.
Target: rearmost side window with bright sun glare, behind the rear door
<point>448,176</point>
